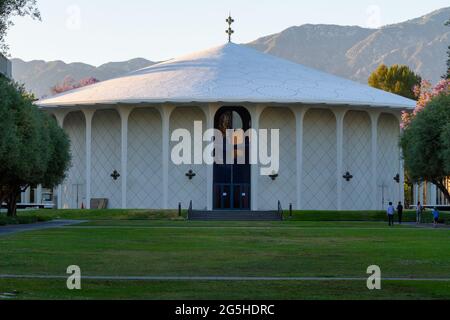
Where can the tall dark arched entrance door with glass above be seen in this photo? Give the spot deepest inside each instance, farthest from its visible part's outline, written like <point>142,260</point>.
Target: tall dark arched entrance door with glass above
<point>232,181</point>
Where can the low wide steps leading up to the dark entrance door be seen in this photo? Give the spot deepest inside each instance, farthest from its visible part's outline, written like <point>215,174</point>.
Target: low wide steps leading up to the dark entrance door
<point>235,216</point>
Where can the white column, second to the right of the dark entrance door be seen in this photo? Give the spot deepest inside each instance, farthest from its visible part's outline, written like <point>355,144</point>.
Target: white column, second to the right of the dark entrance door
<point>299,117</point>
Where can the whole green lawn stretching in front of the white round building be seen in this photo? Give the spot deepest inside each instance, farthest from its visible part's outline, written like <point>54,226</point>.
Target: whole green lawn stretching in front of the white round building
<point>137,243</point>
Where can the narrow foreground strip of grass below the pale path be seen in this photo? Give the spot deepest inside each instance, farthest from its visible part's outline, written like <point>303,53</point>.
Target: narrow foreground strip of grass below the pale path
<point>264,290</point>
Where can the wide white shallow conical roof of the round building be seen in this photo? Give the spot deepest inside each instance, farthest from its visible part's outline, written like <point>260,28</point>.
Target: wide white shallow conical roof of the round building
<point>230,73</point>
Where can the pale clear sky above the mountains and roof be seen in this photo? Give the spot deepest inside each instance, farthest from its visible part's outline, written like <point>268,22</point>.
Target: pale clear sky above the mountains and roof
<point>100,31</point>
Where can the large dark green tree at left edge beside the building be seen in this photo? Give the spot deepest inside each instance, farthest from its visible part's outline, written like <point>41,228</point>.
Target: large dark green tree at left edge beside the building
<point>33,149</point>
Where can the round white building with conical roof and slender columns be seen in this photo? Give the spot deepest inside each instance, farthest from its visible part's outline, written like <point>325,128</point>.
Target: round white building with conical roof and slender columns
<point>339,140</point>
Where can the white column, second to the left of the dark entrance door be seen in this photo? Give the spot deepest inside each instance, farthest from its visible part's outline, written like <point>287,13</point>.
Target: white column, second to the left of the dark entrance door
<point>166,111</point>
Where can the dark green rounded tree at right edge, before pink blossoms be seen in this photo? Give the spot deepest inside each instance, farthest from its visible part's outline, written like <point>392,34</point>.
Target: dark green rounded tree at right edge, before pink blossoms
<point>426,143</point>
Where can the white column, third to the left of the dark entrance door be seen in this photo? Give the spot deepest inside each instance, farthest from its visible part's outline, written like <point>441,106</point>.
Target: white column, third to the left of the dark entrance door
<point>124,112</point>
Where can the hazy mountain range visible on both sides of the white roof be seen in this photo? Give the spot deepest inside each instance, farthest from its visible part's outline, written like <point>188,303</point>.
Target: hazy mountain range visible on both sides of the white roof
<point>349,51</point>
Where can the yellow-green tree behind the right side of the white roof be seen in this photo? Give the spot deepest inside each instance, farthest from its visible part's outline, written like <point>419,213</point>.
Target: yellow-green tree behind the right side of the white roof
<point>397,79</point>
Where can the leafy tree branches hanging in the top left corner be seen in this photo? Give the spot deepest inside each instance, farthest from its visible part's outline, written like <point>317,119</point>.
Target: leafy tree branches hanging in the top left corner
<point>11,8</point>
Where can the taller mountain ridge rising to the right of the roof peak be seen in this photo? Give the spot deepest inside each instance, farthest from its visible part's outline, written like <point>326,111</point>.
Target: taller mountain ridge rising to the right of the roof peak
<point>420,43</point>
